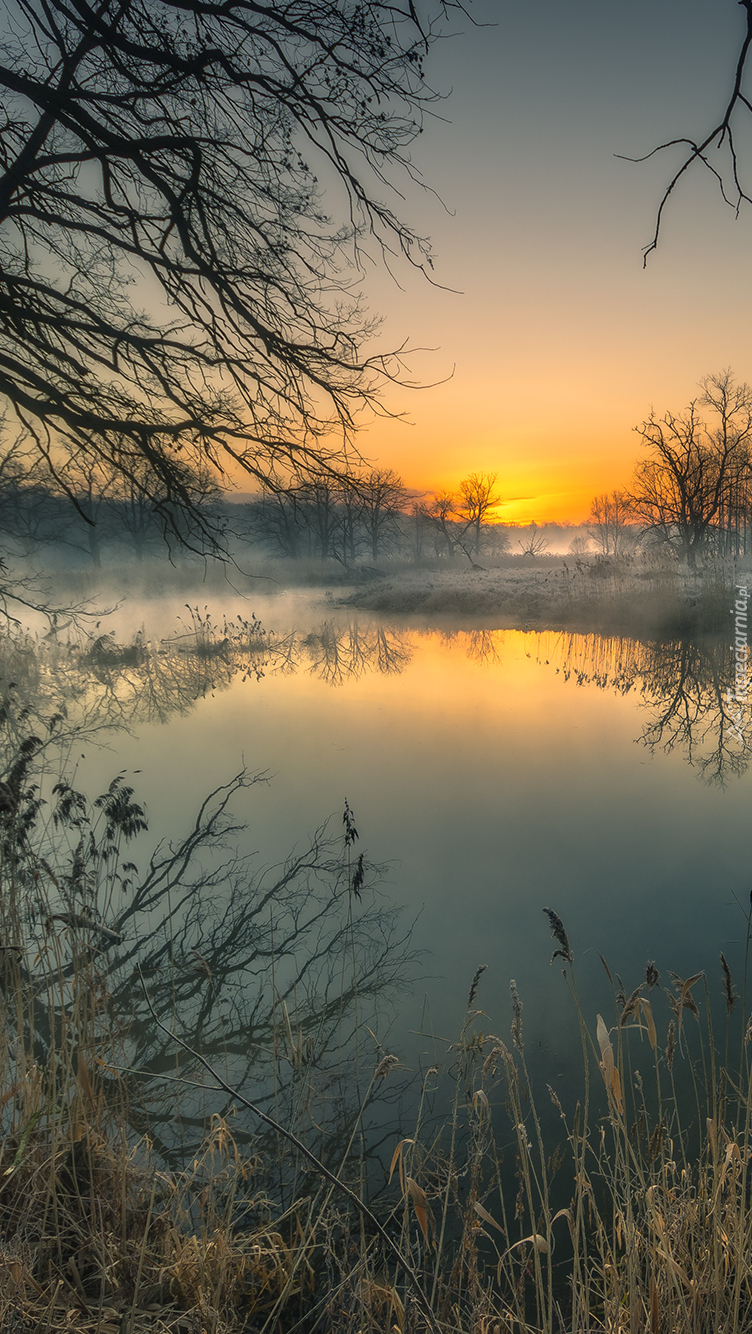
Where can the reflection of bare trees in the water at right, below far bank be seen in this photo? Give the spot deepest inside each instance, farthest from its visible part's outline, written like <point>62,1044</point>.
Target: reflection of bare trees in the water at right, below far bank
<point>686,684</point>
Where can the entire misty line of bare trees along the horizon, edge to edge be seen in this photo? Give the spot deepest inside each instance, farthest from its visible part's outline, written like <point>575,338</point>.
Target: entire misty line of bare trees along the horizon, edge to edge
<point>691,496</point>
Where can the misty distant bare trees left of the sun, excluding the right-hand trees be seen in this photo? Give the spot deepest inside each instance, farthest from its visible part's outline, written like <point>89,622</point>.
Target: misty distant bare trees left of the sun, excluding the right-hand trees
<point>353,521</point>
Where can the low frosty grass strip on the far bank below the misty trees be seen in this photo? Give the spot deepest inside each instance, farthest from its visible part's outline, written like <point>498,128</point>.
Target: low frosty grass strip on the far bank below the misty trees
<point>642,596</point>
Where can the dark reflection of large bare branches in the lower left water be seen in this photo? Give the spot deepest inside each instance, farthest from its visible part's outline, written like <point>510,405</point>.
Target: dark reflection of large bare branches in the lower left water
<point>269,974</point>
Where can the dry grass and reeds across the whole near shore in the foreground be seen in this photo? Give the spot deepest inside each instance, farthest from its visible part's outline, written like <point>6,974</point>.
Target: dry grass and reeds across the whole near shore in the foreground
<point>623,1209</point>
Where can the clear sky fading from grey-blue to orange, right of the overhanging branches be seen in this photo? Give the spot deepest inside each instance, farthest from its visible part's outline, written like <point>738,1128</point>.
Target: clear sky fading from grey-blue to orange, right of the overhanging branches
<point>551,340</point>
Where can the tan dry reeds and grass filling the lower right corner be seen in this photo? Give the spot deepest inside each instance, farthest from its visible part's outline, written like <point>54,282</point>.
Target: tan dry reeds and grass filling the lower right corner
<point>634,1219</point>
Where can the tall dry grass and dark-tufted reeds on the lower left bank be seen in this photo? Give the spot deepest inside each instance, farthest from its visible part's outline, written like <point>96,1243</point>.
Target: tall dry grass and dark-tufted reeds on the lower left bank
<point>94,1236</point>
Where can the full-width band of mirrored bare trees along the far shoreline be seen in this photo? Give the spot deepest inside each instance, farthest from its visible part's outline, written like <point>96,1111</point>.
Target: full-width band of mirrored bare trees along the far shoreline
<point>78,688</point>
